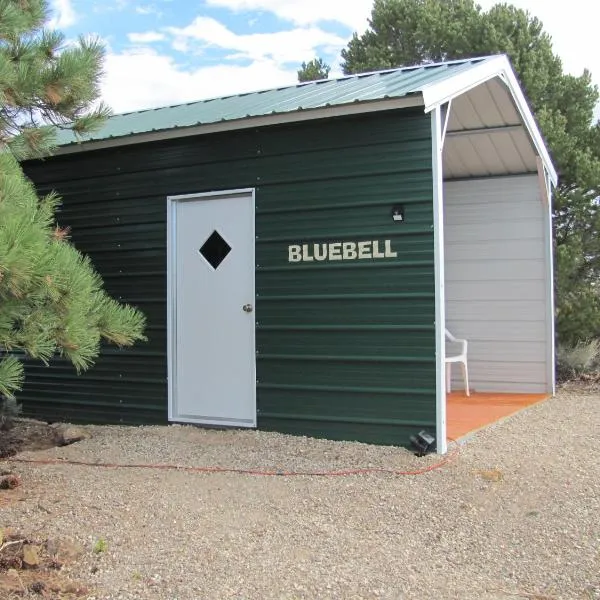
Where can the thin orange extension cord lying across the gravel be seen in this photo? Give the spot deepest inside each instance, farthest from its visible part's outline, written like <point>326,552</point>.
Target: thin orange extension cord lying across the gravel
<point>342,473</point>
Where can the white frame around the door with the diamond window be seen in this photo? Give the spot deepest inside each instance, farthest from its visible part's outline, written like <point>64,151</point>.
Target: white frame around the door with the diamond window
<point>172,290</point>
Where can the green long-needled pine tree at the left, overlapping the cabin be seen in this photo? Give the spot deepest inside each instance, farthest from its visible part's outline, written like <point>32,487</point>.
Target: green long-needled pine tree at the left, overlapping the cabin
<point>52,301</point>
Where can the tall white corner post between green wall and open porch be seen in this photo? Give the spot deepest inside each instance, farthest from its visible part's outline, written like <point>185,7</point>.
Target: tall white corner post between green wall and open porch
<point>440,297</point>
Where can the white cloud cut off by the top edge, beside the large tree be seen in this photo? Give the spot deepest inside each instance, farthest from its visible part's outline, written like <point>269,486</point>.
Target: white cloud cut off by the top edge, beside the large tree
<point>352,13</point>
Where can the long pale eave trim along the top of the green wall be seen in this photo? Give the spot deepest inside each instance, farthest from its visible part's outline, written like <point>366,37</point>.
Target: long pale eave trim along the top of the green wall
<point>354,108</point>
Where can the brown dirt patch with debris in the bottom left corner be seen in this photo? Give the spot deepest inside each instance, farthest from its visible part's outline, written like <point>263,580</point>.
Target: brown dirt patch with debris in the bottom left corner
<point>32,568</point>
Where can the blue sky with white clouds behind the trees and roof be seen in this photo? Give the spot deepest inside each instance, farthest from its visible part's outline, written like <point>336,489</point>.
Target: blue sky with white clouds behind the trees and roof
<point>163,52</point>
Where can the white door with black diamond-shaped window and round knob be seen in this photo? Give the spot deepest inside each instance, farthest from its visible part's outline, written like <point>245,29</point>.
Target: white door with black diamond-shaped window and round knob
<point>211,309</point>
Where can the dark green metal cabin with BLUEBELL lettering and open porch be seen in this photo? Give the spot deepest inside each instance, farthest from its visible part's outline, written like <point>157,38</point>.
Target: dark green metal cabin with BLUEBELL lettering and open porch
<point>299,253</point>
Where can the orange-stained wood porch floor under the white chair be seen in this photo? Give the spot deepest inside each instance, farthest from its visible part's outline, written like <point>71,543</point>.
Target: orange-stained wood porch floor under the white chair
<point>467,414</point>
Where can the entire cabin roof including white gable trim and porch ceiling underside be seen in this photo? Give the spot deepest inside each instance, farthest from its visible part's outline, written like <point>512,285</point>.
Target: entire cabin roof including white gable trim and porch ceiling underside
<point>490,131</point>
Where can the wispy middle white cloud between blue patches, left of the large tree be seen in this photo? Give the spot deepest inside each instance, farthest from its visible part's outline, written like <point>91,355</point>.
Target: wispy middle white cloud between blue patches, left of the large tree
<point>281,46</point>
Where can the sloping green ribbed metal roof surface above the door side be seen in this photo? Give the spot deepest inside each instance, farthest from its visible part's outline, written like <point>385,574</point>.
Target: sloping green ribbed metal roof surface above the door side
<point>363,88</point>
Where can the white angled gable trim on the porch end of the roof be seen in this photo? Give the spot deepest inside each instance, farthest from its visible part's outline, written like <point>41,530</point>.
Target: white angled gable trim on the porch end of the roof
<point>436,94</point>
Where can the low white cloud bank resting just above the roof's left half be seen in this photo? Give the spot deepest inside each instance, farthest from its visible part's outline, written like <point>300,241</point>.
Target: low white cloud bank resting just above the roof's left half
<point>144,79</point>
